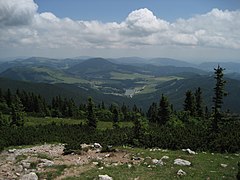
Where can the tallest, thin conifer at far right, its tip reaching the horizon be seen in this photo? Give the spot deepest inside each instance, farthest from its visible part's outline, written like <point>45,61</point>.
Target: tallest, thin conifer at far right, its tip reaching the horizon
<point>219,93</point>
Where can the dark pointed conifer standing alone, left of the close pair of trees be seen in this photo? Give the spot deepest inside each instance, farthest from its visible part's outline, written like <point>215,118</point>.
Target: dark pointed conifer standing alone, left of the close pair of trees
<point>164,111</point>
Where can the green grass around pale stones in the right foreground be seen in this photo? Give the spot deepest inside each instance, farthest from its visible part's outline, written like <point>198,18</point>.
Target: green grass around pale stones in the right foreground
<point>204,166</point>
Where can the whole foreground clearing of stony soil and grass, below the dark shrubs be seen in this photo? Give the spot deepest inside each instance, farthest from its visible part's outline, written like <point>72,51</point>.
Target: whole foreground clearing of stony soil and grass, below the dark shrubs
<point>48,162</point>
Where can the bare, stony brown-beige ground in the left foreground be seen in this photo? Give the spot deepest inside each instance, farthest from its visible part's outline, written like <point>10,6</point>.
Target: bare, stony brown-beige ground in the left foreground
<point>28,163</point>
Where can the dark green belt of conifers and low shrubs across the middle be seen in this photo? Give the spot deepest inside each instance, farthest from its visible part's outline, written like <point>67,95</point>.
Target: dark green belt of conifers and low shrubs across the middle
<point>196,126</point>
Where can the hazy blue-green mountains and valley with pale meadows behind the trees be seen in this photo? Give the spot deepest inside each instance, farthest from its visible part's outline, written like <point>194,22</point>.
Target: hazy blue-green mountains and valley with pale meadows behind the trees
<point>130,80</point>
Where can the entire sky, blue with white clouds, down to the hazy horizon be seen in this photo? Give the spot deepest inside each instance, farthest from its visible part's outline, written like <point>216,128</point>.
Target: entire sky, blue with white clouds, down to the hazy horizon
<point>188,30</point>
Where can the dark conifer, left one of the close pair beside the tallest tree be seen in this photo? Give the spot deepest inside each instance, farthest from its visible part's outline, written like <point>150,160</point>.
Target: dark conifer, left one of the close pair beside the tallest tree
<point>189,103</point>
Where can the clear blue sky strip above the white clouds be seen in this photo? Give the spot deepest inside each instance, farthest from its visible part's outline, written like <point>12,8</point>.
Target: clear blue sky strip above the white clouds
<point>113,10</point>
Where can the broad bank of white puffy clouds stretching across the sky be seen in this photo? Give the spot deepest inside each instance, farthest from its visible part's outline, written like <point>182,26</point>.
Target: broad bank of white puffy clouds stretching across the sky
<point>22,25</point>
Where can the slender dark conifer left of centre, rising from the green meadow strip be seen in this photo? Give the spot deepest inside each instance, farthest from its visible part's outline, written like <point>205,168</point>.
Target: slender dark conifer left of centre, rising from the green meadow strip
<point>92,121</point>
